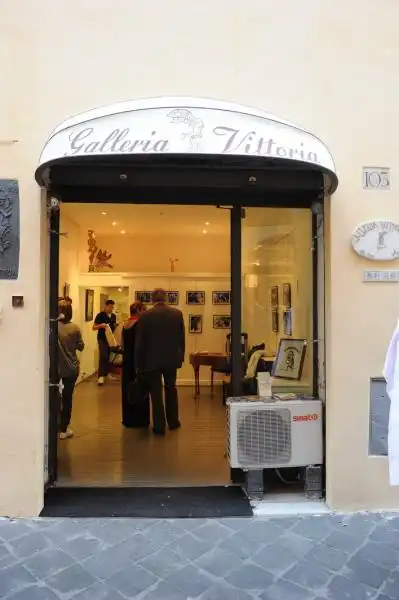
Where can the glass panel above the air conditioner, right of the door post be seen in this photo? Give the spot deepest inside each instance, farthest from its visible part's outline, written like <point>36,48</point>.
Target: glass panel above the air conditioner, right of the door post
<point>277,290</point>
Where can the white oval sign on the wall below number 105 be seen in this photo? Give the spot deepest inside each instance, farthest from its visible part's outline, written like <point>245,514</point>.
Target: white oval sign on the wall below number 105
<point>377,240</point>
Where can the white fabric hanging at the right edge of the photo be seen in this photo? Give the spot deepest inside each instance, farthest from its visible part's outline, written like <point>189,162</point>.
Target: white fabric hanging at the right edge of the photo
<point>391,374</point>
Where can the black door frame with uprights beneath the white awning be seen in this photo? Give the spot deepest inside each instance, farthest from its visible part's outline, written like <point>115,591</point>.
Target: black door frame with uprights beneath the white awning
<point>235,190</point>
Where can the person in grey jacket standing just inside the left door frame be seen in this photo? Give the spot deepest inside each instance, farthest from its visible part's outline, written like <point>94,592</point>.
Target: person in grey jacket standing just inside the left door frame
<point>69,342</point>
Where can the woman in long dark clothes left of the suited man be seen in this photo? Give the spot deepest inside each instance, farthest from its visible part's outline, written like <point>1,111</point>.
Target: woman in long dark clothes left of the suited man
<point>135,410</point>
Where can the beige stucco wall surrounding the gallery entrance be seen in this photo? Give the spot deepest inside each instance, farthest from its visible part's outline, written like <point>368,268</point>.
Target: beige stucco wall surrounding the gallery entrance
<point>329,66</point>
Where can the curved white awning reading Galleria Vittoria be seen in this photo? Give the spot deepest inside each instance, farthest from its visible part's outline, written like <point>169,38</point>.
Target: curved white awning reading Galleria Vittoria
<point>185,126</point>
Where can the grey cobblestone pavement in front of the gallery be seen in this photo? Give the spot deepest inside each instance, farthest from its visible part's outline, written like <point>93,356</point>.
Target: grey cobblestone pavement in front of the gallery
<point>308,558</point>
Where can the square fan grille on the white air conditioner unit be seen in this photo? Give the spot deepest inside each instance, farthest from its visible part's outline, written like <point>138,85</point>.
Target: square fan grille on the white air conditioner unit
<point>264,436</point>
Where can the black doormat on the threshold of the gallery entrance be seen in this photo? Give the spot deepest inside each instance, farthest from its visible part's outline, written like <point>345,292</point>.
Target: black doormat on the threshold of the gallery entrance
<point>149,503</point>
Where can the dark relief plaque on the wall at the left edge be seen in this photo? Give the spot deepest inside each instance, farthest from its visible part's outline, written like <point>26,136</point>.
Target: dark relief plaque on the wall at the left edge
<point>9,229</point>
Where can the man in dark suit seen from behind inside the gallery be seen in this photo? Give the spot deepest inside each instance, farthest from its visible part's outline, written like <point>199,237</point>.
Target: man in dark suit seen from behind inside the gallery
<point>159,352</point>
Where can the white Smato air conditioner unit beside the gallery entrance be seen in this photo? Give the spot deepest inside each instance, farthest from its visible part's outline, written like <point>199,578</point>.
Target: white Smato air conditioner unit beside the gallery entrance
<point>265,434</point>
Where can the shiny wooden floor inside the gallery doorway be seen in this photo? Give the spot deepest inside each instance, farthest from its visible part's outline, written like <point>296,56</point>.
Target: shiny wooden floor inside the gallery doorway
<point>103,453</point>
